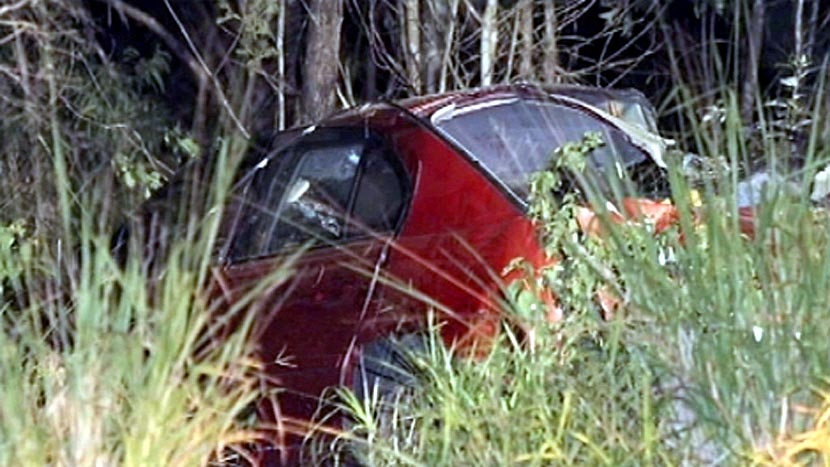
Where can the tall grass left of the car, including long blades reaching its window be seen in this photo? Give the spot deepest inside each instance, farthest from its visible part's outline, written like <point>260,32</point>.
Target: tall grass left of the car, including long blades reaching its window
<point>104,365</point>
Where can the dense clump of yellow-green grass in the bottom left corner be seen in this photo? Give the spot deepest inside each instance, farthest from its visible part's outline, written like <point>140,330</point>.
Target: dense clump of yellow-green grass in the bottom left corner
<point>109,374</point>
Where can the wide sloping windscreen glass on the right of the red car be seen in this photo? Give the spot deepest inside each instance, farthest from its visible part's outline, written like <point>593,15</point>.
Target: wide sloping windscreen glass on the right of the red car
<point>513,138</point>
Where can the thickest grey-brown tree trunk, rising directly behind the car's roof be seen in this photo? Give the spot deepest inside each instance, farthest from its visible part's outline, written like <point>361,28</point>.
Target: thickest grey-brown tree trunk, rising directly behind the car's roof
<point>322,58</point>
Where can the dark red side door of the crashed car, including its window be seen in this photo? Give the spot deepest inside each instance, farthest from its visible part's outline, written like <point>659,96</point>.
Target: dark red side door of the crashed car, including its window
<point>336,196</point>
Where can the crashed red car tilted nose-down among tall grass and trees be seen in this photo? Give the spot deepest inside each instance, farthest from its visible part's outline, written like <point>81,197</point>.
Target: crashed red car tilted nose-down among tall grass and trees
<point>403,207</point>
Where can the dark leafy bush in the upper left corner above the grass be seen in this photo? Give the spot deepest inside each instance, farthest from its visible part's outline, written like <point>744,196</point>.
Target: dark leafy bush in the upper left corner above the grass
<point>102,109</point>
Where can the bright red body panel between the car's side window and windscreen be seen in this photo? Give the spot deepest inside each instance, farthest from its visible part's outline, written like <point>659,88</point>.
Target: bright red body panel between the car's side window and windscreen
<point>460,233</point>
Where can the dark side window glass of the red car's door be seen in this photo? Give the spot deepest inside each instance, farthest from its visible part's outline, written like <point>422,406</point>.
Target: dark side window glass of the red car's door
<point>333,186</point>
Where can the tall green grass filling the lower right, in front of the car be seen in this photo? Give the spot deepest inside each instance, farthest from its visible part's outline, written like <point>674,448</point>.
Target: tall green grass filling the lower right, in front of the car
<point>717,354</point>
